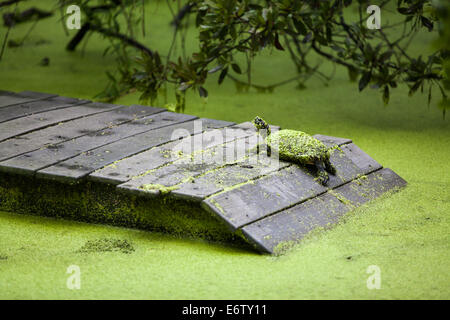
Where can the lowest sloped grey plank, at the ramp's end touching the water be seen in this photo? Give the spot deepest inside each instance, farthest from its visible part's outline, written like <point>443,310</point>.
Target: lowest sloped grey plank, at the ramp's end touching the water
<point>277,231</point>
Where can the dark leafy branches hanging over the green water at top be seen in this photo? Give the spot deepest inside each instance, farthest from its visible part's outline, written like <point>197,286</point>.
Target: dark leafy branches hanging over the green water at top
<point>232,31</point>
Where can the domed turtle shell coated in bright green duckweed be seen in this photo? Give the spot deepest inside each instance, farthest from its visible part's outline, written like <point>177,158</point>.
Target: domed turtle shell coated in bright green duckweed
<point>297,146</point>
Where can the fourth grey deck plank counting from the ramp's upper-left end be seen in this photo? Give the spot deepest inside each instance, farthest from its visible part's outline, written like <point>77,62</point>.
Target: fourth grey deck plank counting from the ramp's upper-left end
<point>72,129</point>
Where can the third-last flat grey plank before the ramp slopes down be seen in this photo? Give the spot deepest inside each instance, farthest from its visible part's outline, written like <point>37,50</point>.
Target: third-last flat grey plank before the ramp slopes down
<point>124,170</point>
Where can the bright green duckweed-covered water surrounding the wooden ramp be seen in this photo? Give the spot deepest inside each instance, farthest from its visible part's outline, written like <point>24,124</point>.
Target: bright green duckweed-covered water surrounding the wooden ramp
<point>407,234</point>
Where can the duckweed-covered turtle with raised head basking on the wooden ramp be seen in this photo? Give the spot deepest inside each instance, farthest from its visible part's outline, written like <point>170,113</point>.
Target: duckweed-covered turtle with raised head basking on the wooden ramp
<point>298,147</point>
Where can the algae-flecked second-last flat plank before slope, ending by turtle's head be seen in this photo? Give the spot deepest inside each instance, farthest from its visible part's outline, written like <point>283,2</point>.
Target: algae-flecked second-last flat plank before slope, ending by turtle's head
<point>193,164</point>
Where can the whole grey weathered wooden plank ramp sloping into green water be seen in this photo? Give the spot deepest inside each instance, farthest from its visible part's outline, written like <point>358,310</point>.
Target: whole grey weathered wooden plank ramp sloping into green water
<point>146,167</point>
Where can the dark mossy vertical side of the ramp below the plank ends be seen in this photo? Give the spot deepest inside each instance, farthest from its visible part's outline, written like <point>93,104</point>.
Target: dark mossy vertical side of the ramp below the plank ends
<point>100,203</point>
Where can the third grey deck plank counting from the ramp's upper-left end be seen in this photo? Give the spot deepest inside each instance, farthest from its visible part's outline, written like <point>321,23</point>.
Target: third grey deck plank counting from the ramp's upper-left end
<point>41,120</point>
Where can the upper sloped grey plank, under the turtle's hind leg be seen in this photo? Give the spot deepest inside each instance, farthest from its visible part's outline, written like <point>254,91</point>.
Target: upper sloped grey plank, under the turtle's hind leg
<point>263,190</point>
